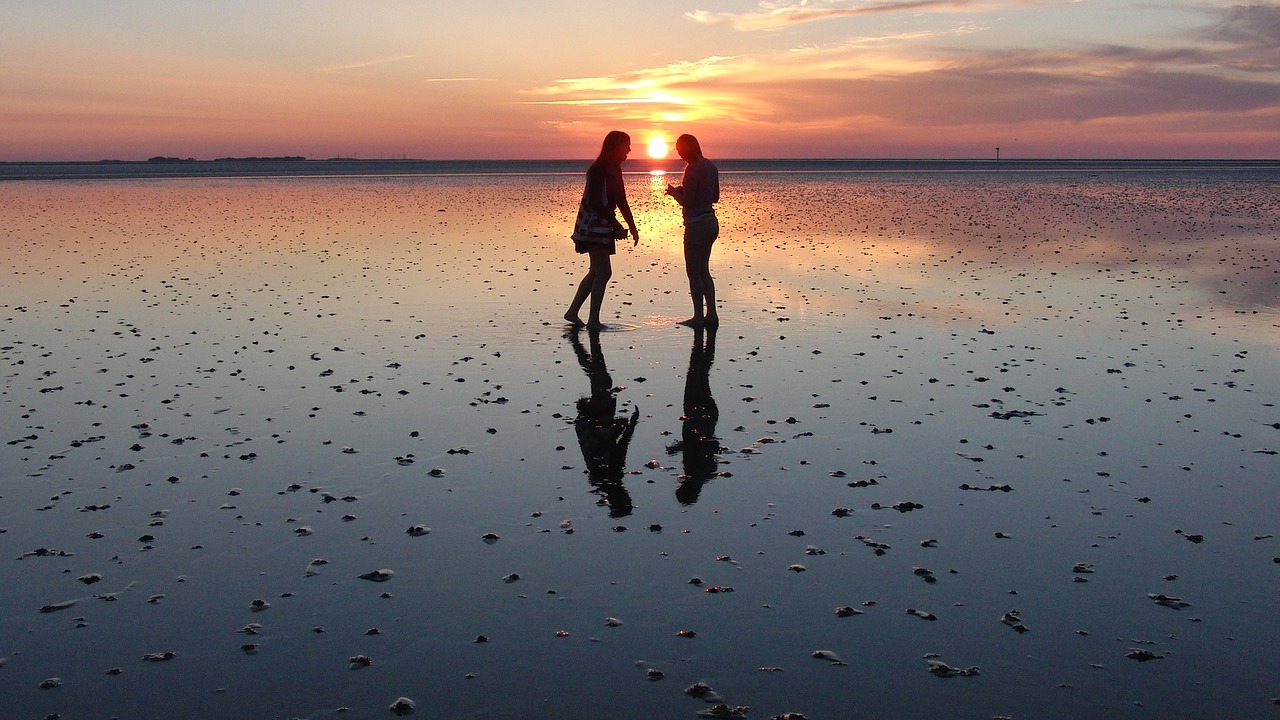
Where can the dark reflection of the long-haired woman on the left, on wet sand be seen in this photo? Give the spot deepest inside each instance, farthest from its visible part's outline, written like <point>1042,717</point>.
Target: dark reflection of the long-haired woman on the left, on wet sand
<point>602,435</point>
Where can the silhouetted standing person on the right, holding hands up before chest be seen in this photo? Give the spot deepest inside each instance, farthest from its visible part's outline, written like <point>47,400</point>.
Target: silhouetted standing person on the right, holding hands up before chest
<point>700,189</point>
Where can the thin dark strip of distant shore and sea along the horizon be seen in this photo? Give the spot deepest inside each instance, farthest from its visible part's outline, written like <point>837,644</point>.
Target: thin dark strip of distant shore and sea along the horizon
<point>286,167</point>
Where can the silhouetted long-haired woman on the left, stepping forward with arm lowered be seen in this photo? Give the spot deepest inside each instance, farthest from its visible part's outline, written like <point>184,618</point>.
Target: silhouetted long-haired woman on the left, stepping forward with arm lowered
<point>605,194</point>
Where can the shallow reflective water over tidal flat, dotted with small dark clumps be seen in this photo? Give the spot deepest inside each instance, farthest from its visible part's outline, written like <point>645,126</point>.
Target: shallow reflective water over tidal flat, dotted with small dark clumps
<point>222,363</point>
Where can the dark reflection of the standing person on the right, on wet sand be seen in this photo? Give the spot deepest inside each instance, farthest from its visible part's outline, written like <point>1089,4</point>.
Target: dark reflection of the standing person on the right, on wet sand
<point>698,446</point>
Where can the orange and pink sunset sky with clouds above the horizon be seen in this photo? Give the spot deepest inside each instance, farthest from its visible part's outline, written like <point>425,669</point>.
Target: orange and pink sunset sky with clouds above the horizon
<point>546,79</point>
